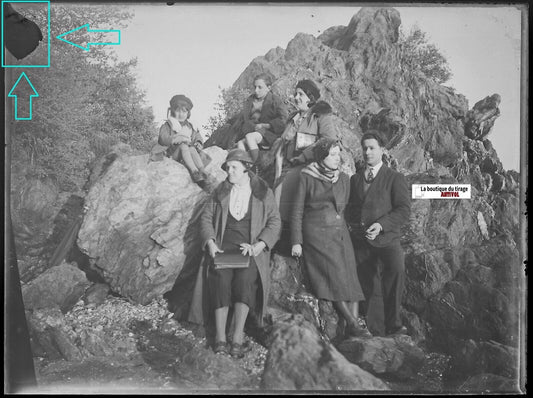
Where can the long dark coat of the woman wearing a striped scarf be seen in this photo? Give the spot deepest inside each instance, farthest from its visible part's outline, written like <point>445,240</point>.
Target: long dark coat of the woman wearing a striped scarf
<point>318,224</point>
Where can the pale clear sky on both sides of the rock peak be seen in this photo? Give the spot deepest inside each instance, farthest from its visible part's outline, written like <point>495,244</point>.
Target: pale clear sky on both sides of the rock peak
<point>196,49</point>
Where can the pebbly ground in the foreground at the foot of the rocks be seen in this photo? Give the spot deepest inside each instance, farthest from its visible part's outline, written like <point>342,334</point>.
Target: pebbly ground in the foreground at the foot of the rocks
<point>143,349</point>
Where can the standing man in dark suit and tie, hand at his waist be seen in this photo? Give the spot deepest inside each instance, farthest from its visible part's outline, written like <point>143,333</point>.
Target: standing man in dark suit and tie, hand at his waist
<point>379,205</point>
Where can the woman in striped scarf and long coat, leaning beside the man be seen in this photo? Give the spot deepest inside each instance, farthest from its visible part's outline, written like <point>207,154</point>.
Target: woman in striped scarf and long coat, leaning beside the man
<point>319,232</point>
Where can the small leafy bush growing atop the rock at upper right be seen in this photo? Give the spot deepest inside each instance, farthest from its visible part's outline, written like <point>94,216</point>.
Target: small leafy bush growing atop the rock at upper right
<point>418,54</point>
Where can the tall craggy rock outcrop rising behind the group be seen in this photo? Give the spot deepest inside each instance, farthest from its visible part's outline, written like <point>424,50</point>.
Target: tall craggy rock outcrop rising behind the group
<point>462,256</point>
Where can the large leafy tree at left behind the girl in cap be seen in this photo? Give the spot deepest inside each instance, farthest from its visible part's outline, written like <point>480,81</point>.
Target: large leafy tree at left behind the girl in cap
<point>87,102</point>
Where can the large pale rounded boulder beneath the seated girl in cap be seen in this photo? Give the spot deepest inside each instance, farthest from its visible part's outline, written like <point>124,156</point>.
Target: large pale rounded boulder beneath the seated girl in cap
<point>140,224</point>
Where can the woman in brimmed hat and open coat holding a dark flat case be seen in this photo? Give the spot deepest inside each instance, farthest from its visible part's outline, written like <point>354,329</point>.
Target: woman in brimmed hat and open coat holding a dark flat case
<point>241,216</point>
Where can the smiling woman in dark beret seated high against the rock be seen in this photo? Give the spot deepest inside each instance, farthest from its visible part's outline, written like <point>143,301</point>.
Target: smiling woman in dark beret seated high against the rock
<point>311,121</point>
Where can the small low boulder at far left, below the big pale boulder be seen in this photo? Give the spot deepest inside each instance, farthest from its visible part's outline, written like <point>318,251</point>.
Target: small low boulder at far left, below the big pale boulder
<point>60,286</point>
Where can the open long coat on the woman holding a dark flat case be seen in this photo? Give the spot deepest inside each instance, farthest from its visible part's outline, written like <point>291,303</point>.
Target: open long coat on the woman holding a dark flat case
<point>265,226</point>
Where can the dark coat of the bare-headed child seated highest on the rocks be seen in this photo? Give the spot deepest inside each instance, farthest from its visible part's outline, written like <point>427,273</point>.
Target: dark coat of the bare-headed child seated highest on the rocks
<point>273,111</point>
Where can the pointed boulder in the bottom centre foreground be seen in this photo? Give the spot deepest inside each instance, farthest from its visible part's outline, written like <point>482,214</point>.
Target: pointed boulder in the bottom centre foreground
<point>298,359</point>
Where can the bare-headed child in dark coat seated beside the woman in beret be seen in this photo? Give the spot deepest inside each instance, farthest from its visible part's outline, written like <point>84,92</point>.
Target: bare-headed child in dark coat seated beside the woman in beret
<point>264,117</point>
